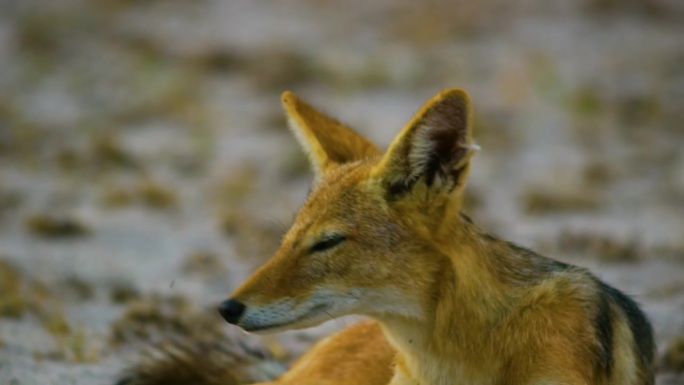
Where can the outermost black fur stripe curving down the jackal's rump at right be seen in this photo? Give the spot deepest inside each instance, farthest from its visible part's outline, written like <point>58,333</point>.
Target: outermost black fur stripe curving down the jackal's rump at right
<point>639,325</point>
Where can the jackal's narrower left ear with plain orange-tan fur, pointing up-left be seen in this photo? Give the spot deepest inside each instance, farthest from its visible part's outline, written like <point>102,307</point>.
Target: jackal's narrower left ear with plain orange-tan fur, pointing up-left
<point>326,141</point>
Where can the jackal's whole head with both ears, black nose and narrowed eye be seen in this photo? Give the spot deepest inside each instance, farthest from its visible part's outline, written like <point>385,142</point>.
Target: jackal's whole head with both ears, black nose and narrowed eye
<point>368,239</point>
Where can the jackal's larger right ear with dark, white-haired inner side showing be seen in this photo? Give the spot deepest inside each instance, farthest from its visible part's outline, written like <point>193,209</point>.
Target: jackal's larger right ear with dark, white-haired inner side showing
<point>434,147</point>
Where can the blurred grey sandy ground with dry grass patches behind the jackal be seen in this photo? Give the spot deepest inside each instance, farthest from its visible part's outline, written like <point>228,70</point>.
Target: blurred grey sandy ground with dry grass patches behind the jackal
<point>146,170</point>
